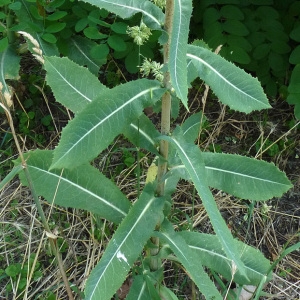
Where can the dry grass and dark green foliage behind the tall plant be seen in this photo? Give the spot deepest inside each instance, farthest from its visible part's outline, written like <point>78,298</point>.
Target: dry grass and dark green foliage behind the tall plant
<point>260,36</point>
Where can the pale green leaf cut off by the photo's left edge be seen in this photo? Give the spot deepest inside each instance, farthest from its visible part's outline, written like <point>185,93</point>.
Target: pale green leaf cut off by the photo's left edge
<point>9,67</point>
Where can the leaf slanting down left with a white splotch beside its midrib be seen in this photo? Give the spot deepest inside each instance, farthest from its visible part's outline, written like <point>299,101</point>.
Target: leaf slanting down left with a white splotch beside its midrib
<point>125,246</point>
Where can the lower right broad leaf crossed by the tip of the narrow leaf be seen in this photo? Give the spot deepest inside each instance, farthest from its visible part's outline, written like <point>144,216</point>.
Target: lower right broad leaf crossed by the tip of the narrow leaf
<point>209,250</point>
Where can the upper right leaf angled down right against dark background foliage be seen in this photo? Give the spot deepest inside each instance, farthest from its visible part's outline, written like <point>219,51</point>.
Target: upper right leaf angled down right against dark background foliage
<point>231,84</point>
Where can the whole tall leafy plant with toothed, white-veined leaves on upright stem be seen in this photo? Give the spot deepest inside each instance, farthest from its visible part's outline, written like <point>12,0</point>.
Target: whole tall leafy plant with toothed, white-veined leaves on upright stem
<point>65,177</point>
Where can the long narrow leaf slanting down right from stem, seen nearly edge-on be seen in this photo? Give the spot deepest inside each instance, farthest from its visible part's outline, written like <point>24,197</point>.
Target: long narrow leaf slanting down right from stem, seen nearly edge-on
<point>191,157</point>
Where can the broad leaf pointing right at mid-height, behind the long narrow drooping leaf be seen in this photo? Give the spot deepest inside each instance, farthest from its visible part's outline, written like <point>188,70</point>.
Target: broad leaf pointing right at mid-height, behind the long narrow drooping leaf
<point>244,177</point>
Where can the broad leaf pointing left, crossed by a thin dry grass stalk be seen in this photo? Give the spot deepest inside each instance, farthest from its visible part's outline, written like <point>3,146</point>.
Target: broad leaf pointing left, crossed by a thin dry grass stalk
<point>83,187</point>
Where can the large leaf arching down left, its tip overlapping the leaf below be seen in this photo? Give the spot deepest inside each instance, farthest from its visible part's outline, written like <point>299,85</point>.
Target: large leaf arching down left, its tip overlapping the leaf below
<point>95,127</point>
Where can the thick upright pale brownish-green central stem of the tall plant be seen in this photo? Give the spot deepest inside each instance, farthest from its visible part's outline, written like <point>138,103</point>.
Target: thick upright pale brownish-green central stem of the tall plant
<point>155,263</point>
